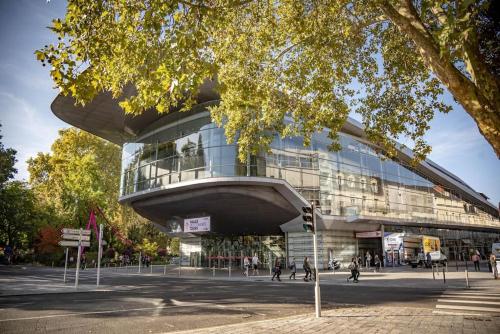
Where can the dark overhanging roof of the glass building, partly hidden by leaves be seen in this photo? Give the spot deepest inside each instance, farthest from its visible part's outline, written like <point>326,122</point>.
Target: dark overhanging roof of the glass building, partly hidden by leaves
<point>105,118</point>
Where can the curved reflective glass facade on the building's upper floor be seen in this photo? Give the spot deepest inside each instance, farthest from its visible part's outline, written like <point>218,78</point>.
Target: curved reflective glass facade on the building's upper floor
<point>353,181</point>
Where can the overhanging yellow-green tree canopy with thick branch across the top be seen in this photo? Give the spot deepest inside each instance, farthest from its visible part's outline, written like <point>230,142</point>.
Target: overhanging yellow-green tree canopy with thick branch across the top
<point>315,61</point>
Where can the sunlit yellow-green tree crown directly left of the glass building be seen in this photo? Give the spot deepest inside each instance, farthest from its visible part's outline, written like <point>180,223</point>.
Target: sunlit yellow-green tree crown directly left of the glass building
<point>81,172</point>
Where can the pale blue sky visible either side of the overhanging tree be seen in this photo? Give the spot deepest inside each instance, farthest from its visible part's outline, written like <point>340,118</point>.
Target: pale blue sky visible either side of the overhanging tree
<point>28,125</point>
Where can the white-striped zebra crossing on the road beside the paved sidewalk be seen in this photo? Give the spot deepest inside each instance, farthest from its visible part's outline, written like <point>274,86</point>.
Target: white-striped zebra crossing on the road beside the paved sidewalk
<point>482,302</point>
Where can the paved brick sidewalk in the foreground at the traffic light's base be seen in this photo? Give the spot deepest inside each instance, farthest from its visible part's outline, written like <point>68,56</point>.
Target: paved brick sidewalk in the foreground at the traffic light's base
<point>365,320</point>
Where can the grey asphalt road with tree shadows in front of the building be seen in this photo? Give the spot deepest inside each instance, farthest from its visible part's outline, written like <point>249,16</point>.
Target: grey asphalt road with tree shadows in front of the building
<point>152,304</point>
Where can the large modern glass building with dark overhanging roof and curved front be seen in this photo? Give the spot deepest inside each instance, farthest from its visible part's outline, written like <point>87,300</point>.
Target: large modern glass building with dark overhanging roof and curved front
<point>179,166</point>
